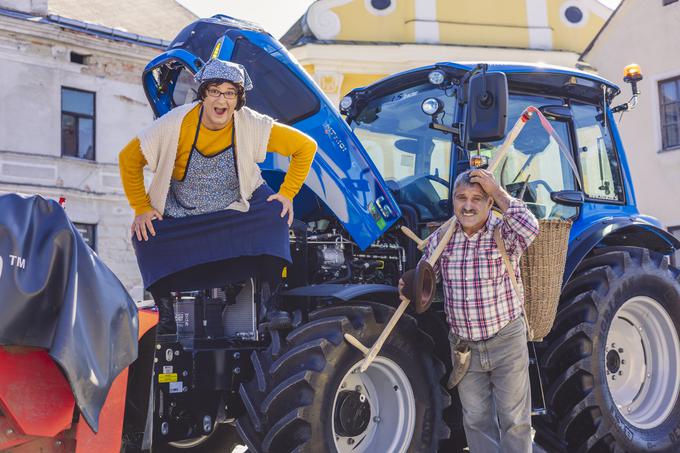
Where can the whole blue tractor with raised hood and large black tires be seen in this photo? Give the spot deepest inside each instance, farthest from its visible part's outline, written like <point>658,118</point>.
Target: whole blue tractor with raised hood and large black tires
<point>610,366</point>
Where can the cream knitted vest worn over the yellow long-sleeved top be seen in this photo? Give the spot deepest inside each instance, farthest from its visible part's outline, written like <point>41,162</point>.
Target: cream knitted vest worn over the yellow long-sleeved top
<point>160,139</point>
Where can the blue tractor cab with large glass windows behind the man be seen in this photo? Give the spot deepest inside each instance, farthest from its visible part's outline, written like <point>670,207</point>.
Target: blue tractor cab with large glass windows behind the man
<point>418,128</point>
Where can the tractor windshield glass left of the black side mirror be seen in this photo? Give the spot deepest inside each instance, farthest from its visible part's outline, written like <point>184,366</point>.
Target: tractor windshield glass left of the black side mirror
<point>414,159</point>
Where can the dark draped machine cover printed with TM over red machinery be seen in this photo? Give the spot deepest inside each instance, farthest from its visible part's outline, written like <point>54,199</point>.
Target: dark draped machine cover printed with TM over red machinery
<point>56,294</point>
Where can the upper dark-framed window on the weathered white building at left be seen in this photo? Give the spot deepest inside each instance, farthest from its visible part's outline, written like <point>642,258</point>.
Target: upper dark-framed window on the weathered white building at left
<point>77,123</point>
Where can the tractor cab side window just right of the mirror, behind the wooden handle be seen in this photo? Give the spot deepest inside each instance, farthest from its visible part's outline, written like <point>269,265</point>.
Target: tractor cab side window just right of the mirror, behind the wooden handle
<point>534,167</point>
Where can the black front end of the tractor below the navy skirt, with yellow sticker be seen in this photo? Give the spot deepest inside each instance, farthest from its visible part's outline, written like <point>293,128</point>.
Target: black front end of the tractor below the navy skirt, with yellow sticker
<point>197,372</point>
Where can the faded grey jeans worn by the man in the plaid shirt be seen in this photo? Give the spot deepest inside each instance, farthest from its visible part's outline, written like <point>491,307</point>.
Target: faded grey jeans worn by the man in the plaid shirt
<point>495,392</point>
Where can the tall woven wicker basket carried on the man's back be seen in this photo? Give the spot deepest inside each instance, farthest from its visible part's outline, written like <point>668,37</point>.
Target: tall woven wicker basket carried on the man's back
<point>542,267</point>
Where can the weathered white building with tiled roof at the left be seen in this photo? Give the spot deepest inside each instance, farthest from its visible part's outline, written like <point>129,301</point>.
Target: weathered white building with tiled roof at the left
<point>71,98</point>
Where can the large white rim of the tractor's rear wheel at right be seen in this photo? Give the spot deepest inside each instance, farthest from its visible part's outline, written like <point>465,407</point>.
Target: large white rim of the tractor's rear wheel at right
<point>641,360</point>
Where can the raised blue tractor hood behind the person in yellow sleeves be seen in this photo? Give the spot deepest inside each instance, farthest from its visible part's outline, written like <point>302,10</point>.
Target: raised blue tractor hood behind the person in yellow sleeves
<point>343,182</point>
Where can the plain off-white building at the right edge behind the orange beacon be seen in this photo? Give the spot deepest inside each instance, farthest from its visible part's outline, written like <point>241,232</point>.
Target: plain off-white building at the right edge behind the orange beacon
<point>647,32</point>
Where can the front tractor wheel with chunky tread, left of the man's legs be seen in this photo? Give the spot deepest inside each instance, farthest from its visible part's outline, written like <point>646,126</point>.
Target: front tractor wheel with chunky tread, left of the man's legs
<point>308,395</point>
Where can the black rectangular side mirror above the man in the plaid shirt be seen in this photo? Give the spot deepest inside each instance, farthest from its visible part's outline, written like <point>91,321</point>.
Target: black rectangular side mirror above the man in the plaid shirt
<point>487,114</point>
